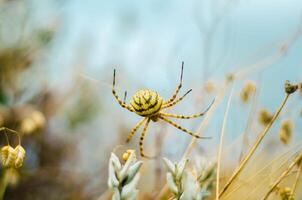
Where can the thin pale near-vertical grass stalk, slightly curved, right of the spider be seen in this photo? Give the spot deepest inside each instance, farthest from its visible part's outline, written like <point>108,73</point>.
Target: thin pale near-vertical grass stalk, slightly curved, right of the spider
<point>221,143</point>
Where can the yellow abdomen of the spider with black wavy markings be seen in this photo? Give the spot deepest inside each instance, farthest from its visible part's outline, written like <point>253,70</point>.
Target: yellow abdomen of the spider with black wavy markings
<point>146,102</point>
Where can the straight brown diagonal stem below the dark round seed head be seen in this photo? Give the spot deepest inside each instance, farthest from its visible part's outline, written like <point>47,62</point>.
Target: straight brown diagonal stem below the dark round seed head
<point>254,147</point>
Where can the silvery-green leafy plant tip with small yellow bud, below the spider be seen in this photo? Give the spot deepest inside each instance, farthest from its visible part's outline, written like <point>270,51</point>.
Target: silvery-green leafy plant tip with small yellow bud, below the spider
<point>123,178</point>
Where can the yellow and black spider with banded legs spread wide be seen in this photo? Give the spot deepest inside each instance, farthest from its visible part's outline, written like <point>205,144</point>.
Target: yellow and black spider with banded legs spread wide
<point>150,106</point>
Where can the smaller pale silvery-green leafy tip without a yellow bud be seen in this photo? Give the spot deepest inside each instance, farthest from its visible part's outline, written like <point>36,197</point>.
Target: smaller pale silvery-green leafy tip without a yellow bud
<point>175,177</point>
